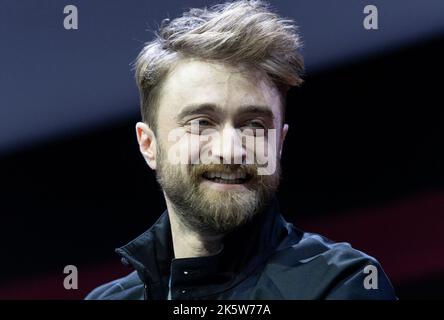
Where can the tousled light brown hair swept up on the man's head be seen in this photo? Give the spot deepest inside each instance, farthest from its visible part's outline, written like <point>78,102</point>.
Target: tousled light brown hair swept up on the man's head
<point>242,32</point>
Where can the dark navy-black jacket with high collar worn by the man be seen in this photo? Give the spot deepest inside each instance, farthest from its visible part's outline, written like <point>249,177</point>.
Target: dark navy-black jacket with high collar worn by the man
<point>266,259</point>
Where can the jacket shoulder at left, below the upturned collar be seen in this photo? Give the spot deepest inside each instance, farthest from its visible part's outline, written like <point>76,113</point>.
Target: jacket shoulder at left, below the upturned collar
<point>129,287</point>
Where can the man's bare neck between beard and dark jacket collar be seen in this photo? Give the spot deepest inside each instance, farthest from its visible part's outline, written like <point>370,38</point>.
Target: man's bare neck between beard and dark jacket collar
<point>188,243</point>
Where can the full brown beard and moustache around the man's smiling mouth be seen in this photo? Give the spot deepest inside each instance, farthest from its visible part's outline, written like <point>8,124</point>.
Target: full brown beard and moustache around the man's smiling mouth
<point>211,211</point>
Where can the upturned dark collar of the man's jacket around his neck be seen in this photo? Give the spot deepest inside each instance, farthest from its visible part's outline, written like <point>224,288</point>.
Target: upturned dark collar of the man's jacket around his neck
<point>245,249</point>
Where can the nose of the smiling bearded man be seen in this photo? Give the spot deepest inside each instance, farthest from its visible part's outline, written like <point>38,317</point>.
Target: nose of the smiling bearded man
<point>228,147</point>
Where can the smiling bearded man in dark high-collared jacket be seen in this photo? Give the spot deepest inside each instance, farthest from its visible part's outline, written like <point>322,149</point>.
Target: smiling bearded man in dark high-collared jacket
<point>213,86</point>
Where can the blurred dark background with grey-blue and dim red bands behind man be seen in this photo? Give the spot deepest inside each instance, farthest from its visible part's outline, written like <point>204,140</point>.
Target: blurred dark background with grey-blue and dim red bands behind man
<point>363,163</point>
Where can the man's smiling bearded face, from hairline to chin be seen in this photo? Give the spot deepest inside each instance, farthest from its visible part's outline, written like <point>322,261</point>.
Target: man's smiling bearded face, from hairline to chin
<point>225,104</point>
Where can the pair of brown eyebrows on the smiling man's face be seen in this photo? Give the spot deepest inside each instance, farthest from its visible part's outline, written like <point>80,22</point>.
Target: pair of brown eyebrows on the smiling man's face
<point>213,108</point>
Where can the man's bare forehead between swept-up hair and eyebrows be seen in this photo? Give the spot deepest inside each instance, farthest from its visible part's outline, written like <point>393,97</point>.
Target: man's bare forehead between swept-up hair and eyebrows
<point>194,82</point>
